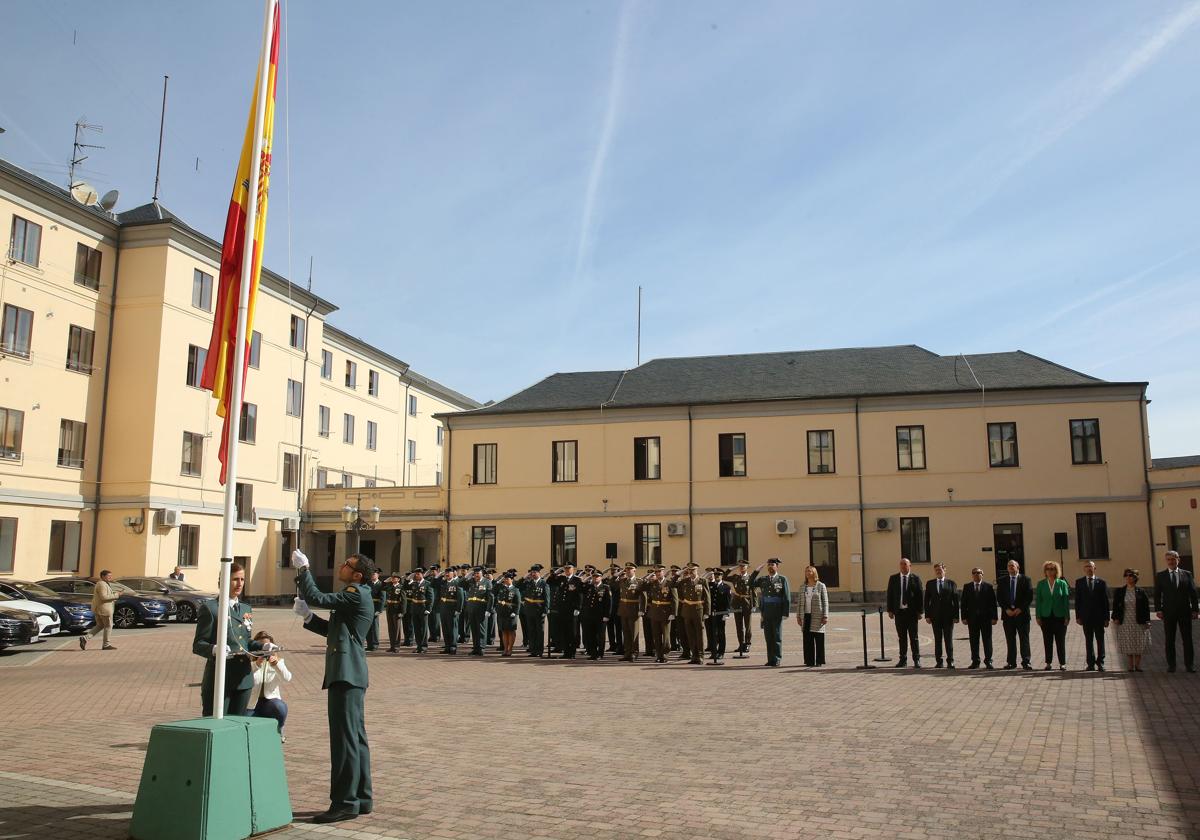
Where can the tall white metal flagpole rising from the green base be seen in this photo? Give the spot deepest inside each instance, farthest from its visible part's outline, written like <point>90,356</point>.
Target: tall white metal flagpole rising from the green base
<point>235,419</point>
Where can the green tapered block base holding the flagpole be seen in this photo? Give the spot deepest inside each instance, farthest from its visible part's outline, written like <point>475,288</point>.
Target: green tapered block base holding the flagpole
<point>212,779</point>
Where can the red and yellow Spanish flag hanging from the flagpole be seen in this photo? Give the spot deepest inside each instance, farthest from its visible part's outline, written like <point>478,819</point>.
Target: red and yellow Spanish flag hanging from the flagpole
<point>219,365</point>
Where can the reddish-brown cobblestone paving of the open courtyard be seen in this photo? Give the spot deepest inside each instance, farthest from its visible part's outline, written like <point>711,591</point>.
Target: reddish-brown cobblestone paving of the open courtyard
<point>466,748</point>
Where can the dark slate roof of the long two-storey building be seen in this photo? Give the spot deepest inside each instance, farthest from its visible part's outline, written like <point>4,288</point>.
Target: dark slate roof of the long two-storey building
<point>803,375</point>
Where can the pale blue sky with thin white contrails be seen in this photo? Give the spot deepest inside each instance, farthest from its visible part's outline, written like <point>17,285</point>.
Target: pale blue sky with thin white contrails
<point>484,187</point>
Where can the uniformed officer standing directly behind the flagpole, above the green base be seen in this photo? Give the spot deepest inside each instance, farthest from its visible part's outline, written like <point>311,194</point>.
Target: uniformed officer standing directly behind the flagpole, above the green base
<point>239,676</point>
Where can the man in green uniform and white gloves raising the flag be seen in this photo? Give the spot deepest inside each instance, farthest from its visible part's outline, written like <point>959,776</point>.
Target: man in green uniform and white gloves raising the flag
<point>351,615</point>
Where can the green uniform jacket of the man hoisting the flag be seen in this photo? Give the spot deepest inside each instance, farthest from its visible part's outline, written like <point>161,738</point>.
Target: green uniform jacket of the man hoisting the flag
<point>351,614</point>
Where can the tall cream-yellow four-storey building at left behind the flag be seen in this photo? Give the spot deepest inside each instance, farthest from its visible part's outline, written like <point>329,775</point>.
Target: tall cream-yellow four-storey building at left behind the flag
<point>109,447</point>
